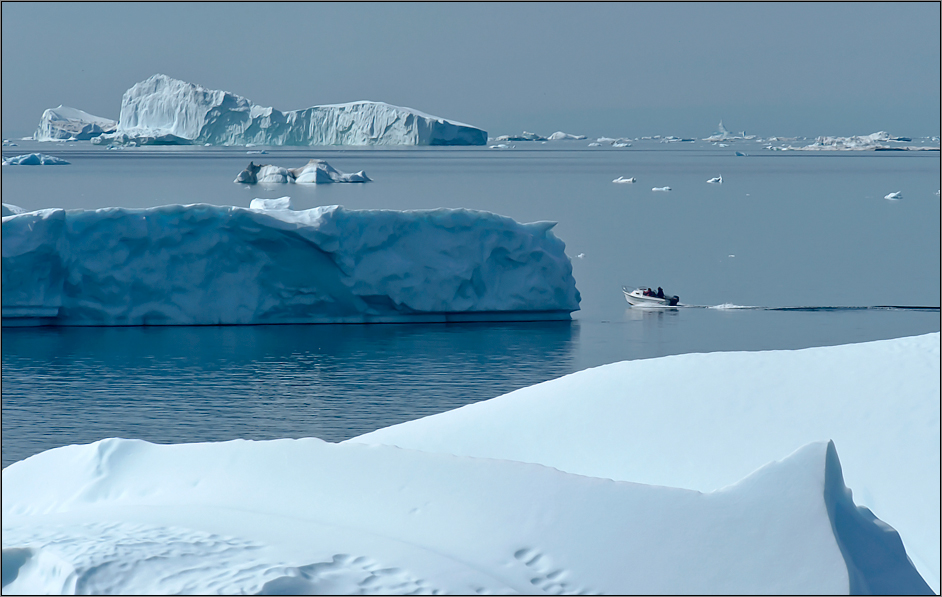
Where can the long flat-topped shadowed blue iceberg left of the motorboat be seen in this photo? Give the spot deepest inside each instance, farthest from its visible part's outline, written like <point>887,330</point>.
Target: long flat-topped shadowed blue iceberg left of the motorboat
<point>207,265</point>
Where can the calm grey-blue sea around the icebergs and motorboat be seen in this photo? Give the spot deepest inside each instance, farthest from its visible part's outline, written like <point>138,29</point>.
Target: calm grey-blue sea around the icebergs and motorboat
<point>784,230</point>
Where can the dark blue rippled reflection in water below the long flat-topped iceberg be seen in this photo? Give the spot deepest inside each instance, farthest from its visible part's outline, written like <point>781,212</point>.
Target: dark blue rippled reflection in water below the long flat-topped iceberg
<point>184,384</point>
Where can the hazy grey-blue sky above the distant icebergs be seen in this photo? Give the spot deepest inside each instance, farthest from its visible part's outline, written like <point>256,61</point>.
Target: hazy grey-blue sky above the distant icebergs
<point>596,69</point>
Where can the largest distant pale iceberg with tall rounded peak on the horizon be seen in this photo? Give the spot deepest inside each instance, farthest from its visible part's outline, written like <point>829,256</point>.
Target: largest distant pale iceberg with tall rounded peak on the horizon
<point>162,110</point>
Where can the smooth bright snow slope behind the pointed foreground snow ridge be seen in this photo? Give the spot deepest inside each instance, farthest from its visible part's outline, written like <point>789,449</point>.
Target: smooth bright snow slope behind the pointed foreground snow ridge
<point>703,421</point>
